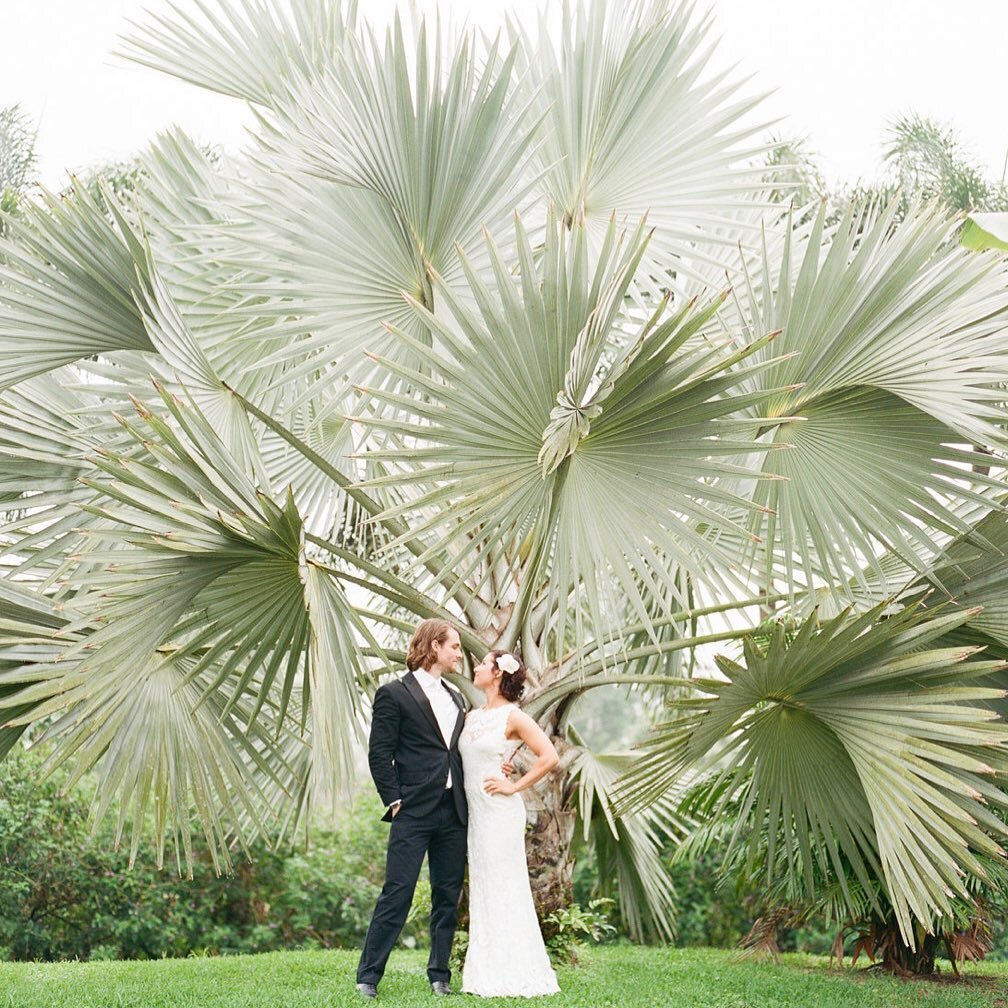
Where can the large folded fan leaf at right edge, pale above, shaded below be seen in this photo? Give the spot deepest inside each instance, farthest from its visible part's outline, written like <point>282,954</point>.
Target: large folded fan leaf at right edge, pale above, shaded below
<point>896,346</point>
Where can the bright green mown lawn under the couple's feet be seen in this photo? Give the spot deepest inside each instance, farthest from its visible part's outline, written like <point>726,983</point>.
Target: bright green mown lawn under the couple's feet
<point>620,977</point>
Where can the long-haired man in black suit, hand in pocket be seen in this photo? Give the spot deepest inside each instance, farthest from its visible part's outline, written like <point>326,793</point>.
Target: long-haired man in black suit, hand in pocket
<point>414,757</point>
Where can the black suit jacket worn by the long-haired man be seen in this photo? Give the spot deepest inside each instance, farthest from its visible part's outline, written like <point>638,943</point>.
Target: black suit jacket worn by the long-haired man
<point>407,752</point>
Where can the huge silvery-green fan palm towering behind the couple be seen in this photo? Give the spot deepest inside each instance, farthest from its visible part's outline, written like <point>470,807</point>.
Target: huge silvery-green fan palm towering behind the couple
<point>453,340</point>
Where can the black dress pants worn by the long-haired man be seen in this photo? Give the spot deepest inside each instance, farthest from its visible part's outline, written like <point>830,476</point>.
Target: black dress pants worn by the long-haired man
<point>442,837</point>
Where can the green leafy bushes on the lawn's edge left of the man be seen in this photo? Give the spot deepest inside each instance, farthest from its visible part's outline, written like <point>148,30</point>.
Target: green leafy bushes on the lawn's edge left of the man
<point>65,895</point>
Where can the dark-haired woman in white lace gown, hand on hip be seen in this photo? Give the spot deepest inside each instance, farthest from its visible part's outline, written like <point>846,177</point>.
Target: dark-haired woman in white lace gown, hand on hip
<point>507,956</point>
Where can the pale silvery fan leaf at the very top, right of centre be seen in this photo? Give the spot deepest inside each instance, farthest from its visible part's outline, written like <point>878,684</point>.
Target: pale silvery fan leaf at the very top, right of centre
<point>633,127</point>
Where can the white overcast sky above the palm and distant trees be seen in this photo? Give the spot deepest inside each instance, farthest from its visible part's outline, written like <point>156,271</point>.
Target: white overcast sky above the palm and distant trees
<point>840,71</point>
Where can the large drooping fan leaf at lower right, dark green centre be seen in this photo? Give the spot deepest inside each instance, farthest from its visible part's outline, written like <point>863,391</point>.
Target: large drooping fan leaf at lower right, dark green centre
<point>855,743</point>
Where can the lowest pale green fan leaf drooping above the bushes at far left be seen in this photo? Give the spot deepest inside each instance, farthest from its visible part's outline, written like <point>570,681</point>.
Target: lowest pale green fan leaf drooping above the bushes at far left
<point>156,751</point>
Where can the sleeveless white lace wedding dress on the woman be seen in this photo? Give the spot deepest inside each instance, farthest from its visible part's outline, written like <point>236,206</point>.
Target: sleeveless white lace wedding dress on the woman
<point>507,956</point>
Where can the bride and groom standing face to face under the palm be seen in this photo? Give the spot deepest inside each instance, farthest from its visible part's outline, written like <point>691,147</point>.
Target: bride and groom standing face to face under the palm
<point>440,772</point>
